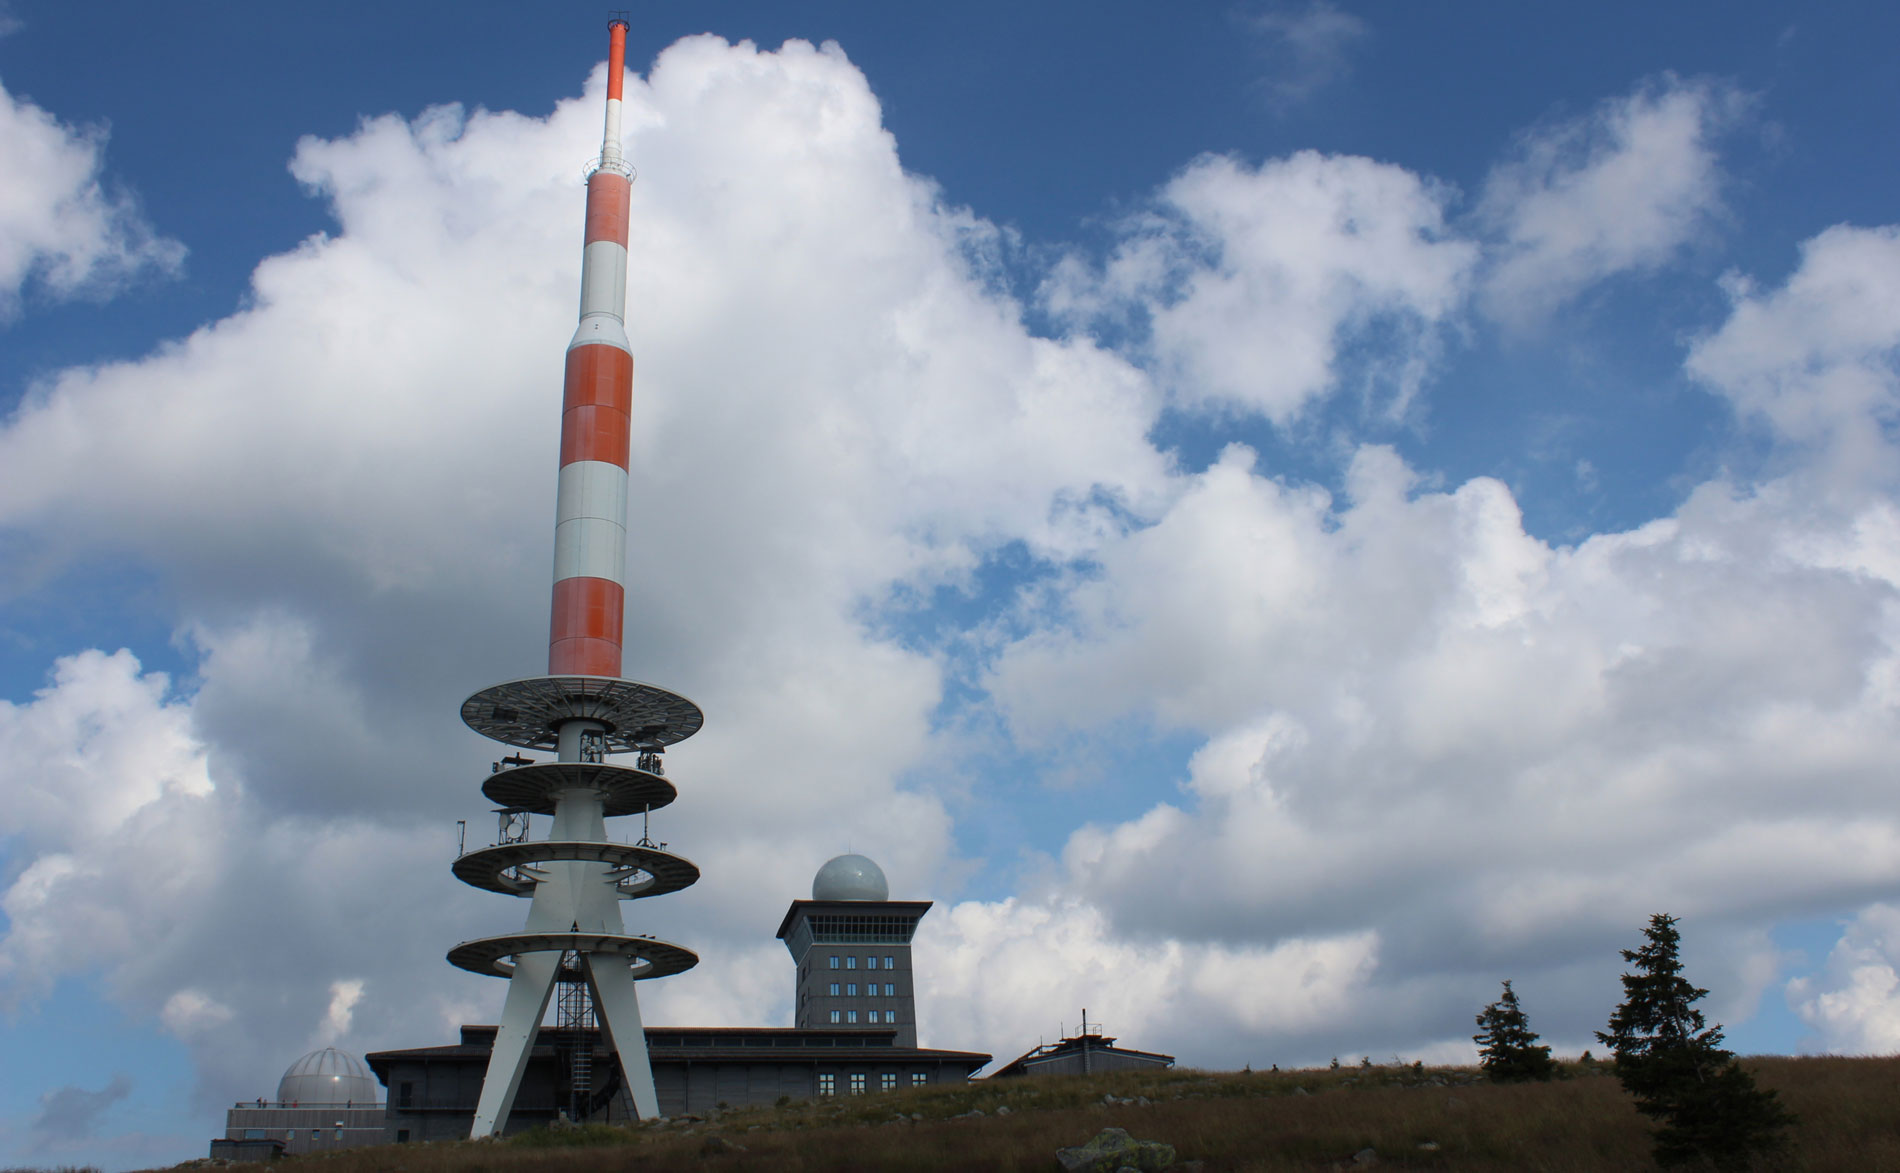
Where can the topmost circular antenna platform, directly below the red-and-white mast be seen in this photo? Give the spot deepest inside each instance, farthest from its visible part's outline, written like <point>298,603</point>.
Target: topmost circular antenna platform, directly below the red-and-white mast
<point>531,712</point>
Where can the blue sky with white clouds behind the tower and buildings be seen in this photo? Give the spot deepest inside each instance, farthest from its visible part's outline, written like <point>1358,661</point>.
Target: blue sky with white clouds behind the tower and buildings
<point>1276,518</point>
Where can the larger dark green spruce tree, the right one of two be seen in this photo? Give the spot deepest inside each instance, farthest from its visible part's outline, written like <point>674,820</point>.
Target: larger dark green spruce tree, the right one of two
<point>1675,1066</point>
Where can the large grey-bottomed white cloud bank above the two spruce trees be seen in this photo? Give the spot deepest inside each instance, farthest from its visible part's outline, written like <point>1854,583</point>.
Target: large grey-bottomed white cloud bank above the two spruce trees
<point>1492,754</point>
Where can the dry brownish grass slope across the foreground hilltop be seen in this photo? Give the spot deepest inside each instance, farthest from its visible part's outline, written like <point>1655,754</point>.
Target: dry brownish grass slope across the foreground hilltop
<point>1226,1121</point>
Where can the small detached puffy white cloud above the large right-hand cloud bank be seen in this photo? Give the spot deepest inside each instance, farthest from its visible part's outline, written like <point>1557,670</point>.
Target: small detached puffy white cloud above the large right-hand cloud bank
<point>1253,280</point>
